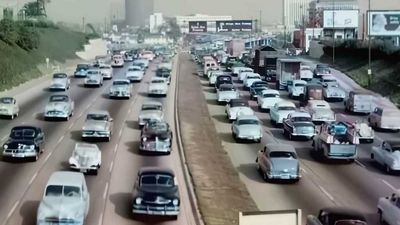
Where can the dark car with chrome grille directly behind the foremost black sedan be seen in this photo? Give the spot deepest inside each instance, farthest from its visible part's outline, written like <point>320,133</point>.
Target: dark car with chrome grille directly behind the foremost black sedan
<point>156,137</point>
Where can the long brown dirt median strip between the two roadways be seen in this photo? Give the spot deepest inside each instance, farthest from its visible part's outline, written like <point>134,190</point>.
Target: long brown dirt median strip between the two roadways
<point>219,190</point>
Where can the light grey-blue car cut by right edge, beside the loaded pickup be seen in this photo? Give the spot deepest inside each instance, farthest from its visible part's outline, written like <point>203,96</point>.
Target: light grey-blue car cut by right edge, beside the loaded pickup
<point>387,154</point>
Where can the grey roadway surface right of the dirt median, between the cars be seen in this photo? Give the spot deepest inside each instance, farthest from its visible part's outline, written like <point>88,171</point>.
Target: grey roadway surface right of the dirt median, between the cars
<point>357,185</point>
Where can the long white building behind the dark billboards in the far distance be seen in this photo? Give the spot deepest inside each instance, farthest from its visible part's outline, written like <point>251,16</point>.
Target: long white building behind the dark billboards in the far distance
<point>183,21</point>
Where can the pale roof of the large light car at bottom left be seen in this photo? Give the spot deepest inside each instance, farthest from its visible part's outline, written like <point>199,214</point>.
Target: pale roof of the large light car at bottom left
<point>66,178</point>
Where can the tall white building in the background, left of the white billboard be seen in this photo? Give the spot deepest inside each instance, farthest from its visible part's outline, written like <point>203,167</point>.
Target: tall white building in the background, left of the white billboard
<point>295,13</point>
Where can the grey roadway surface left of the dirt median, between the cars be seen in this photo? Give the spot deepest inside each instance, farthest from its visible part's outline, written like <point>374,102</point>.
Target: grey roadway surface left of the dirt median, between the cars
<point>22,183</point>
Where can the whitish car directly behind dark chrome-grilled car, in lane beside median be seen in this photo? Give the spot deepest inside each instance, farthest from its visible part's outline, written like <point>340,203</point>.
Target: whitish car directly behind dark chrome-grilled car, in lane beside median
<point>151,110</point>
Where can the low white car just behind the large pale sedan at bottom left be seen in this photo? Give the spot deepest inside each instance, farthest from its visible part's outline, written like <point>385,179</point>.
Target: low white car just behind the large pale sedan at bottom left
<point>86,158</point>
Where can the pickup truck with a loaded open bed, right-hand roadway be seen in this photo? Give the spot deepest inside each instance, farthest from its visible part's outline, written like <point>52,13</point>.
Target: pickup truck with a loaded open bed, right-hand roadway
<point>335,141</point>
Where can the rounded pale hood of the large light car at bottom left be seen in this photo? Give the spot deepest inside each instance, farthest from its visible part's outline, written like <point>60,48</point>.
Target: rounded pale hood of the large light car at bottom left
<point>62,207</point>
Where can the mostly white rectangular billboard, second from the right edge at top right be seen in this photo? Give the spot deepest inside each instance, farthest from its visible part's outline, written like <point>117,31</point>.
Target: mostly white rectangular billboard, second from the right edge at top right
<point>343,18</point>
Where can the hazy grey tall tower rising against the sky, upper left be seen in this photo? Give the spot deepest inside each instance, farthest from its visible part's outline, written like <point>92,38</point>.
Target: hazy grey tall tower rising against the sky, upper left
<point>137,12</point>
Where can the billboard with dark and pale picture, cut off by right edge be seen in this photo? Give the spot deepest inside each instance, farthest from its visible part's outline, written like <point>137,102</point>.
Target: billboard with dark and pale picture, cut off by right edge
<point>384,23</point>
